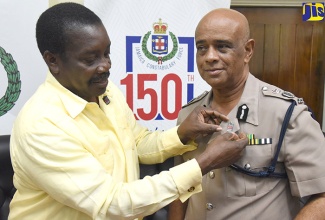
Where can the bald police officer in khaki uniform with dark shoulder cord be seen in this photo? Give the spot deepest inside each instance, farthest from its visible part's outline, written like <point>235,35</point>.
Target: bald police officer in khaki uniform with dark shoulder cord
<point>267,182</point>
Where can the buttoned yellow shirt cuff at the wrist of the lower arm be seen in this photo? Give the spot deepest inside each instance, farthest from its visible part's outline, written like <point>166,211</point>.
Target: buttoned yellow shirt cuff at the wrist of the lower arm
<point>188,178</point>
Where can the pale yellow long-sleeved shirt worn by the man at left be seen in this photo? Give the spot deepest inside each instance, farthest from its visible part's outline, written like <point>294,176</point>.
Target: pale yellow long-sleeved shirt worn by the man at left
<point>76,160</point>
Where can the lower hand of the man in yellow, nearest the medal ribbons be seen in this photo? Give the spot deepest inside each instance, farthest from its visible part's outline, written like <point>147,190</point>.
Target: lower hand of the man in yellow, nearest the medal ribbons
<point>222,151</point>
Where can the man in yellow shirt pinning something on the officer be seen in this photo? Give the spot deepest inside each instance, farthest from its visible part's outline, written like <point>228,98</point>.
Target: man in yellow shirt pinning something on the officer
<point>76,146</point>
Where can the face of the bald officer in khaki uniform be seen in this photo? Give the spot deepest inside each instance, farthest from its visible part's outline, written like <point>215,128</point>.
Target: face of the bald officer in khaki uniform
<point>221,51</point>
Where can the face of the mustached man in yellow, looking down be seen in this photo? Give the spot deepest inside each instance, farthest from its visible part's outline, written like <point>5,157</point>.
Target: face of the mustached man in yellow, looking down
<point>84,69</point>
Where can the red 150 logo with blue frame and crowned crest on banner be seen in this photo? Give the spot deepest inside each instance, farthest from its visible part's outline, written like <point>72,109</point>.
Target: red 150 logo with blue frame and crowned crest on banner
<point>157,53</point>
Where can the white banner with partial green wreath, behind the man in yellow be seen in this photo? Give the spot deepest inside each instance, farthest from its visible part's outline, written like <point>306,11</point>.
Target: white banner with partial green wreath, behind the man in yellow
<point>22,68</point>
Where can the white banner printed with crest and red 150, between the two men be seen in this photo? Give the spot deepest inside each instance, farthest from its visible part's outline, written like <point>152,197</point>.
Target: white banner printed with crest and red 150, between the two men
<point>153,54</point>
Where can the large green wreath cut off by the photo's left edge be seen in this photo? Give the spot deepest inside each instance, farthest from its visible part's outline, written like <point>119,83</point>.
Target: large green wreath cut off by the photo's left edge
<point>14,84</point>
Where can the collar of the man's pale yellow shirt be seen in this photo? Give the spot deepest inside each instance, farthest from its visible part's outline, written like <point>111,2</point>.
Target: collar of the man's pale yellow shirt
<point>73,104</point>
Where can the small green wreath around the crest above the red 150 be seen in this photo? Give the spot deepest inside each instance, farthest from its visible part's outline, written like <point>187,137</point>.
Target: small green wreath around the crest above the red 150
<point>154,58</point>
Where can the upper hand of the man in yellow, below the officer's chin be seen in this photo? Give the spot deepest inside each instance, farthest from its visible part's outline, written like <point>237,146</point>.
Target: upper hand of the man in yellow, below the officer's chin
<point>201,121</point>
